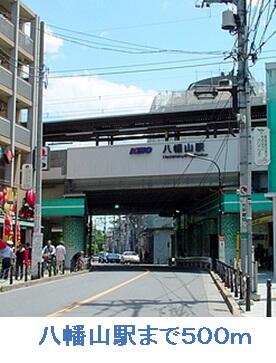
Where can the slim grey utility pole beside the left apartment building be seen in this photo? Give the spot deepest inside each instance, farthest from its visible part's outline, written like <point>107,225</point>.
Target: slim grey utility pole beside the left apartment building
<point>37,235</point>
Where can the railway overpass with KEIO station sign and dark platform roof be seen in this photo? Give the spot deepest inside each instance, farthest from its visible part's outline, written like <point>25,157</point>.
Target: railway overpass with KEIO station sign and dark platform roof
<point>154,176</point>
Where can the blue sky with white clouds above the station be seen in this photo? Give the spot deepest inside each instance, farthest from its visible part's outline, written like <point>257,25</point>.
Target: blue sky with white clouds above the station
<point>130,50</point>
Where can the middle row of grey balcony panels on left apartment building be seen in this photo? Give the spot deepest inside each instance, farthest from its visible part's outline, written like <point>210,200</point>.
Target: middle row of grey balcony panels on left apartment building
<point>24,89</point>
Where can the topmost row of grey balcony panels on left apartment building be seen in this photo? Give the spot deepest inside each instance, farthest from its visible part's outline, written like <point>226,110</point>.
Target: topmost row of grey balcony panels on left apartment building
<point>25,43</point>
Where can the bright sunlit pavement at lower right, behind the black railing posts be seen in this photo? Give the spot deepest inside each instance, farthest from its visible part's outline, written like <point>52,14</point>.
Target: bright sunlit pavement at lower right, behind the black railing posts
<point>258,308</point>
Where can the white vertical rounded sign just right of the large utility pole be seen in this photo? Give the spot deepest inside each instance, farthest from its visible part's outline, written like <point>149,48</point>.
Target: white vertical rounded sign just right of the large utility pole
<point>261,146</point>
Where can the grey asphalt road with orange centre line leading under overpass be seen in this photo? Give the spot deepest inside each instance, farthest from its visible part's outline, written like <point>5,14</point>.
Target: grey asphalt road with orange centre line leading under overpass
<point>118,293</point>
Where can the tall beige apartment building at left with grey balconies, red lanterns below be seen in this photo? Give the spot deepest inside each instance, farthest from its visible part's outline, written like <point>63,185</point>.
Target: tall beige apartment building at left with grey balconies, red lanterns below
<point>19,70</point>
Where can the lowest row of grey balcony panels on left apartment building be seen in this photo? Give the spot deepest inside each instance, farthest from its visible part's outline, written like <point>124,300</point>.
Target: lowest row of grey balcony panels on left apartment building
<point>22,134</point>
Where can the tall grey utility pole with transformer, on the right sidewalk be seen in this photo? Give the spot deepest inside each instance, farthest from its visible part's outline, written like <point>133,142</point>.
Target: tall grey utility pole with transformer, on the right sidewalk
<point>244,118</point>
